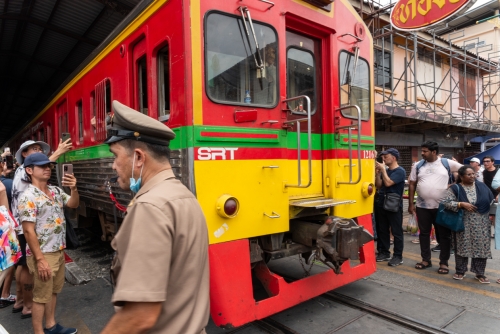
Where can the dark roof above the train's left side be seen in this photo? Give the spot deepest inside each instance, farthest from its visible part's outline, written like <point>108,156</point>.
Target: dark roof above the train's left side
<point>41,43</point>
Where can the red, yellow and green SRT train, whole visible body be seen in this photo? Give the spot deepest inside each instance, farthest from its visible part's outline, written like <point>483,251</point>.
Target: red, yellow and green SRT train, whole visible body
<point>272,103</point>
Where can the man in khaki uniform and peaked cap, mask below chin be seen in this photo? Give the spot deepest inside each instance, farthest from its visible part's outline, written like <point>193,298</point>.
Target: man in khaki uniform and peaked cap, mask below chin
<point>161,265</point>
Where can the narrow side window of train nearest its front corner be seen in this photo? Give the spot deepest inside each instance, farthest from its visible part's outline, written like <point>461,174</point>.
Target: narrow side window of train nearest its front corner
<point>163,85</point>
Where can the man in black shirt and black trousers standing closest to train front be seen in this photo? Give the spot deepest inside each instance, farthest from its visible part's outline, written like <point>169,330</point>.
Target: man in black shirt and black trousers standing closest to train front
<point>390,180</point>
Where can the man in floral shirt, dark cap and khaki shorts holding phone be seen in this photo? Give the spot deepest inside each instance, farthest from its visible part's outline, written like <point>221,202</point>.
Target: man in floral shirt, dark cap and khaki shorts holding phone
<point>42,215</point>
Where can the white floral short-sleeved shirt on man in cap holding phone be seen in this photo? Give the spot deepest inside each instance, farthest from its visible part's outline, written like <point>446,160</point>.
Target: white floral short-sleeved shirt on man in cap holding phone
<point>47,214</point>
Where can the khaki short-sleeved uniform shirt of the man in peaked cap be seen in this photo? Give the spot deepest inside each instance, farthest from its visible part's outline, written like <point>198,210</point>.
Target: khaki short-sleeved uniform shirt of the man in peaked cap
<point>162,255</point>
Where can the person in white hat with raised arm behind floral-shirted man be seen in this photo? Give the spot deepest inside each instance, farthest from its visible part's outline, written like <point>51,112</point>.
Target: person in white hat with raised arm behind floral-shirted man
<point>24,280</point>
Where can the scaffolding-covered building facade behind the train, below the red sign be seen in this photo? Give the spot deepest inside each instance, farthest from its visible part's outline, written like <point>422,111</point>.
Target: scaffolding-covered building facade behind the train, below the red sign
<point>468,108</point>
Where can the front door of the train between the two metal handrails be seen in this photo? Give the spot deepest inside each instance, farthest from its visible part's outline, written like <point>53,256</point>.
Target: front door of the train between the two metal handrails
<point>304,87</point>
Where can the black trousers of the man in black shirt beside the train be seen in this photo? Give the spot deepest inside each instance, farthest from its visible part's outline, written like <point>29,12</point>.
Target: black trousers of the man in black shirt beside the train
<point>388,221</point>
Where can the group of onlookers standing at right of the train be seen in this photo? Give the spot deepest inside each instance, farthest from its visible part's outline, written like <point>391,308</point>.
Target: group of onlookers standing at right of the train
<point>458,201</point>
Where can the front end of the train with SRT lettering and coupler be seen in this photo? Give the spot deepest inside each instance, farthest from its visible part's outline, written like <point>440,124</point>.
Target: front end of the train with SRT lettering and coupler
<point>283,149</point>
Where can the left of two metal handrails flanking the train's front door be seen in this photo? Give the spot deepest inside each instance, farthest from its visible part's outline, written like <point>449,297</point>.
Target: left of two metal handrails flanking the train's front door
<point>309,143</point>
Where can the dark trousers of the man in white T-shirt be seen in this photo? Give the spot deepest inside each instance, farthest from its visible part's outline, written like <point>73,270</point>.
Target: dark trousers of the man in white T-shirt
<point>426,218</point>
